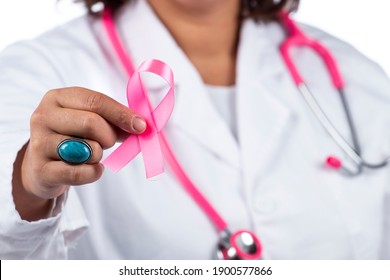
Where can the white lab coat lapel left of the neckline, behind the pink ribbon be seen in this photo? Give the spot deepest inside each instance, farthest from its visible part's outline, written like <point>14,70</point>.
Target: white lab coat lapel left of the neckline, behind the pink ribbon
<point>194,114</point>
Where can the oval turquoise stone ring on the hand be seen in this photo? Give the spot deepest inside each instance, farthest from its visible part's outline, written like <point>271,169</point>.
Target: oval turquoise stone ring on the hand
<point>74,151</point>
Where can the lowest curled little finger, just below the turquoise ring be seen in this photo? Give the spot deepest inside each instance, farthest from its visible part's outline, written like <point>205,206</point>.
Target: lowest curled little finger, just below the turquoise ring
<point>58,173</point>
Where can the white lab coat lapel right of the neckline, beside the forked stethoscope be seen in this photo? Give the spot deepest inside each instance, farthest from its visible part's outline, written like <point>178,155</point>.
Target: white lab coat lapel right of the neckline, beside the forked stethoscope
<point>263,118</point>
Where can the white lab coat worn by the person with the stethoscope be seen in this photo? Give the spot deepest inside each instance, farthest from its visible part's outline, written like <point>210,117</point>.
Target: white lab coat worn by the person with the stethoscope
<point>271,180</point>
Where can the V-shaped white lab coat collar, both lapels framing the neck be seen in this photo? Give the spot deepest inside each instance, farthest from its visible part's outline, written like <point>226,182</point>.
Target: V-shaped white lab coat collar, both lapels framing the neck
<point>194,114</point>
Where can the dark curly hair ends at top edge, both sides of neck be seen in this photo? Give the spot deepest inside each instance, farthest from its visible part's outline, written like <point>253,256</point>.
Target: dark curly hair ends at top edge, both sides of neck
<point>258,9</point>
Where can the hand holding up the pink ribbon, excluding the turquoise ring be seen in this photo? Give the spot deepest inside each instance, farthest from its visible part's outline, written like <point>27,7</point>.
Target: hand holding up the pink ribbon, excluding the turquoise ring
<point>65,113</point>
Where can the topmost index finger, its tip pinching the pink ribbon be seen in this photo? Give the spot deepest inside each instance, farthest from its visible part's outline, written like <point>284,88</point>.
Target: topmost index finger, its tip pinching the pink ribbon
<point>111,110</point>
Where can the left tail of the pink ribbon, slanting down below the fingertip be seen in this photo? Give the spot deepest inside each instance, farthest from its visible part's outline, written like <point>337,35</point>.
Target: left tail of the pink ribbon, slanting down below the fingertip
<point>123,154</point>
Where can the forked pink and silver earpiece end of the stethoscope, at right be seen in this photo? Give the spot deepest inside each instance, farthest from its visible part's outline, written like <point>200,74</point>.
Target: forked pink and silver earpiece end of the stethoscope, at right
<point>296,37</point>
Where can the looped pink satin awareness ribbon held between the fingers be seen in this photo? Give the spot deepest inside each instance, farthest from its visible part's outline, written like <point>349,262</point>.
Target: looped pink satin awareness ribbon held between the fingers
<point>148,142</point>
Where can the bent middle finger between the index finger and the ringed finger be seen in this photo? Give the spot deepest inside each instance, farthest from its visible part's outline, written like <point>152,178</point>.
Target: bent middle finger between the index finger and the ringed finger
<point>83,124</point>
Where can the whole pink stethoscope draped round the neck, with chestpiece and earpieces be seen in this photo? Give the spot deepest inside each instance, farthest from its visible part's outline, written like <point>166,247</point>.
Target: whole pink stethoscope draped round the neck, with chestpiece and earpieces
<point>244,244</point>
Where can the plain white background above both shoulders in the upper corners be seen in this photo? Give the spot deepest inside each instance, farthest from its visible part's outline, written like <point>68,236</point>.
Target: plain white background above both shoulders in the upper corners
<point>363,23</point>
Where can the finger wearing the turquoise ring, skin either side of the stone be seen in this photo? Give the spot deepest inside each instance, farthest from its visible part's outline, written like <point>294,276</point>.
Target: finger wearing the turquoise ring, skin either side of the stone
<point>54,140</point>
